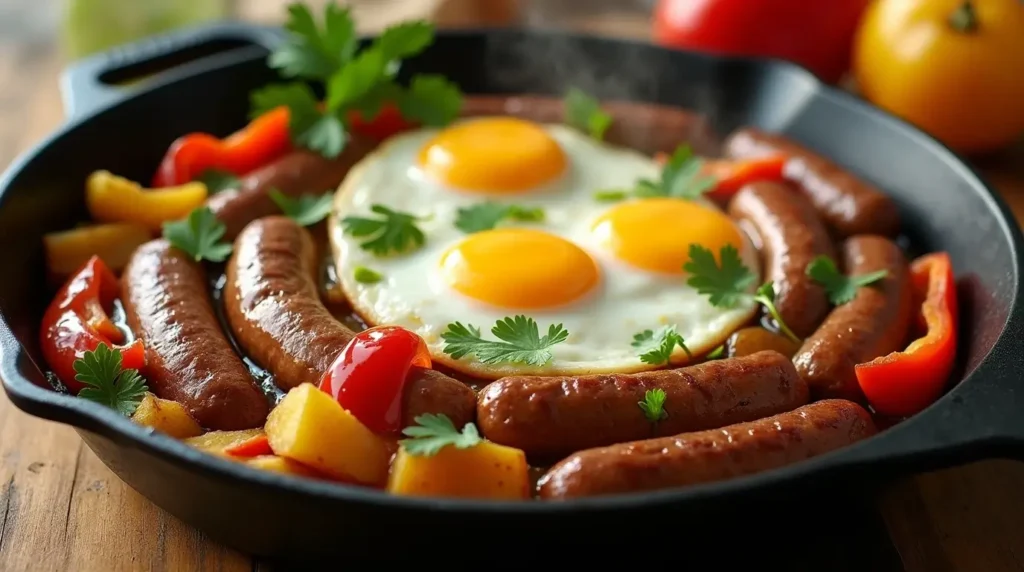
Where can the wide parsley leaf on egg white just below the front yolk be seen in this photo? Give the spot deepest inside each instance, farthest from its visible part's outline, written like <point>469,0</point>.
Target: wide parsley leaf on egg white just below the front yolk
<point>521,342</point>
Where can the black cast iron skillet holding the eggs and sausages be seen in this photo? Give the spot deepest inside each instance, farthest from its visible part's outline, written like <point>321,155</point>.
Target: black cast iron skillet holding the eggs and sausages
<point>946,207</point>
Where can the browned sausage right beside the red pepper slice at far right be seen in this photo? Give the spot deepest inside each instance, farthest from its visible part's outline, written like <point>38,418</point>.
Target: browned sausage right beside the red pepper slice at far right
<point>873,325</point>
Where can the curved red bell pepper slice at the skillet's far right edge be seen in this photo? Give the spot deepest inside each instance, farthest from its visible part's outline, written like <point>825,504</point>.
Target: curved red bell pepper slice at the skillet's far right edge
<point>904,383</point>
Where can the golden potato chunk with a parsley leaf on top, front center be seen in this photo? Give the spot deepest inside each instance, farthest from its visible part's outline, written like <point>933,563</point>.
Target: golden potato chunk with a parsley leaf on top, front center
<point>485,471</point>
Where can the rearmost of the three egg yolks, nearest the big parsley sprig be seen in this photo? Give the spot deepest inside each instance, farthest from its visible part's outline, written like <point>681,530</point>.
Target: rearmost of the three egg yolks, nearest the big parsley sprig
<point>494,155</point>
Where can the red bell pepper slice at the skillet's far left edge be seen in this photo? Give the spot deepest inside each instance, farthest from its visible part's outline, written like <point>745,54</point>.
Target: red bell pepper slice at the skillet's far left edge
<point>77,323</point>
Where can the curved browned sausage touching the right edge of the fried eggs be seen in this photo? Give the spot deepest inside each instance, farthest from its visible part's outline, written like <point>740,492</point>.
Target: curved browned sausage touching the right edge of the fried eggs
<point>792,235</point>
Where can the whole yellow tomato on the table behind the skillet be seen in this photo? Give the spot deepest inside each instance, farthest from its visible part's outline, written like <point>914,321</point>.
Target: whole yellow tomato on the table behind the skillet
<point>954,68</point>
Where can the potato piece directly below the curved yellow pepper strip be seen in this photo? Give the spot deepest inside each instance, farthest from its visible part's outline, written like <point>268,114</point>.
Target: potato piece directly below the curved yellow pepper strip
<point>67,251</point>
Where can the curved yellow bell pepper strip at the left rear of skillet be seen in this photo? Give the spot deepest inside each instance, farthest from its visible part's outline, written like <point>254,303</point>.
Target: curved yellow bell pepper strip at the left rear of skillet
<point>114,199</point>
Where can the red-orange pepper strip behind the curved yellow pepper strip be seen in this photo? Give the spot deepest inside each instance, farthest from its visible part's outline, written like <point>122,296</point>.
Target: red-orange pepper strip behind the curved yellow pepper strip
<point>265,140</point>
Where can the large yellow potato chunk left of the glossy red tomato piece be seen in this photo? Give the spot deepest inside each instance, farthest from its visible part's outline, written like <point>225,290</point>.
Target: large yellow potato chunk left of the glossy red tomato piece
<point>309,426</point>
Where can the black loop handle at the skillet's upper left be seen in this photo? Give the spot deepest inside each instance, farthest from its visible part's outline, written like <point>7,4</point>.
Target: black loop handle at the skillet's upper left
<point>103,80</point>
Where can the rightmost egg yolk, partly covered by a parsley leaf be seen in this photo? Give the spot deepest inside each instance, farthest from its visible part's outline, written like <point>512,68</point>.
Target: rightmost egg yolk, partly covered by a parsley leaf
<point>656,234</point>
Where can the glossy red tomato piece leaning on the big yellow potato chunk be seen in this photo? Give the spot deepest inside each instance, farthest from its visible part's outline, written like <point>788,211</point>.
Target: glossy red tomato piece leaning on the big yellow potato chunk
<point>368,377</point>
